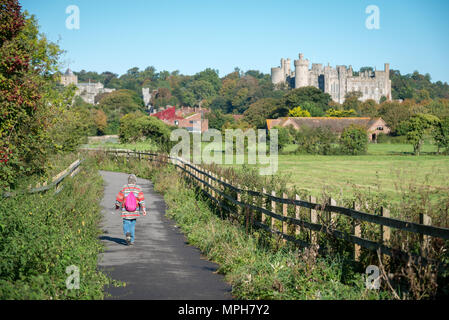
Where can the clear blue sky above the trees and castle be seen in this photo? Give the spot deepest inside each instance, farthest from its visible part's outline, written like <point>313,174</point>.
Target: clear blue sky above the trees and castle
<point>191,35</point>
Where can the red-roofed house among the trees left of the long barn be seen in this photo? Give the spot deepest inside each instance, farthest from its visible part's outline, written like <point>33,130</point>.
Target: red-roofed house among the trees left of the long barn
<point>194,122</point>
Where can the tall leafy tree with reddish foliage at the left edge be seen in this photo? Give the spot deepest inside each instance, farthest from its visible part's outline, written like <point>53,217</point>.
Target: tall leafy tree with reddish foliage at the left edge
<point>36,118</point>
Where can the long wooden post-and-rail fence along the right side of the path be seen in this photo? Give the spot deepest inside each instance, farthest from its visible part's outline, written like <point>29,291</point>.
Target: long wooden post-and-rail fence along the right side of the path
<point>321,217</point>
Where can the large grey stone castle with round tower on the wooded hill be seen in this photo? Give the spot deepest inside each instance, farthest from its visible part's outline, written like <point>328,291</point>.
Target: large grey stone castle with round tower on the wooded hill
<point>337,82</point>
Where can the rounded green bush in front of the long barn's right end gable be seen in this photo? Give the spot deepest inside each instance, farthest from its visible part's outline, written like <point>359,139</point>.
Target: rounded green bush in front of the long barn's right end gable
<point>354,140</point>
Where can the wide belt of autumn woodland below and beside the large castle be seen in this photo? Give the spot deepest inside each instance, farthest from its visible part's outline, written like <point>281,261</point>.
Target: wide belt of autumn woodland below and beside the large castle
<point>251,94</point>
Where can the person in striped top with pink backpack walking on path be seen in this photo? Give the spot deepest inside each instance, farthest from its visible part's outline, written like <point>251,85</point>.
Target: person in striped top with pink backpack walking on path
<point>131,201</point>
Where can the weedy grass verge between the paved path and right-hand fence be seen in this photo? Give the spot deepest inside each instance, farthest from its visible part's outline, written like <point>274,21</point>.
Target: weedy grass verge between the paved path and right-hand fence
<point>254,265</point>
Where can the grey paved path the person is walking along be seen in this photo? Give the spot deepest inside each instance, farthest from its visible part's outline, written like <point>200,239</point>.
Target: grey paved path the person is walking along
<point>161,265</point>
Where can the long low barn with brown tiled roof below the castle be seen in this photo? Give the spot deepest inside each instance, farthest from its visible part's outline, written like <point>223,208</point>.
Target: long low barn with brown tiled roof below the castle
<point>374,126</point>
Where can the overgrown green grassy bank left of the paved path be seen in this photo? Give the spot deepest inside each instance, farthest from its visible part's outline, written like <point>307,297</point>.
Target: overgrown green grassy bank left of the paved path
<point>43,234</point>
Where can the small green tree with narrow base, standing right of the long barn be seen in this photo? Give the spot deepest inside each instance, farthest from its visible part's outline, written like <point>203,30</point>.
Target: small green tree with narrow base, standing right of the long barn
<point>417,127</point>
